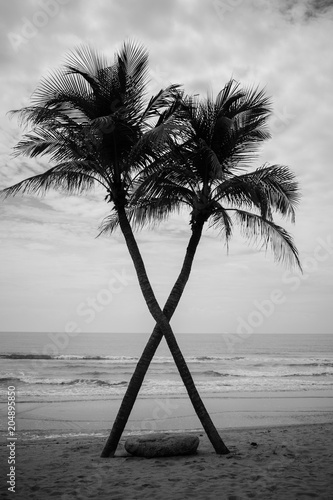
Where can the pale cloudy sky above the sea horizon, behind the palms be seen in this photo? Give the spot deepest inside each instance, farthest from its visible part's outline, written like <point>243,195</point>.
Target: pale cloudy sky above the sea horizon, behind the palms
<point>56,276</point>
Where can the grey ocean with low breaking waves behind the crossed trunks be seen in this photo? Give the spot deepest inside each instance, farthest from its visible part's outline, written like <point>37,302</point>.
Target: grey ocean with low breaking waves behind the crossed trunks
<point>88,366</point>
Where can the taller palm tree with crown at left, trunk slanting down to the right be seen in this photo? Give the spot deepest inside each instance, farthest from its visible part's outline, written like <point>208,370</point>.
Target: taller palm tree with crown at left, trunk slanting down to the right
<point>91,118</point>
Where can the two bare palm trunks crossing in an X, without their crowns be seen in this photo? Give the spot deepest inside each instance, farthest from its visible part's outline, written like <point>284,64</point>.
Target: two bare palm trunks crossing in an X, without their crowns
<point>162,327</point>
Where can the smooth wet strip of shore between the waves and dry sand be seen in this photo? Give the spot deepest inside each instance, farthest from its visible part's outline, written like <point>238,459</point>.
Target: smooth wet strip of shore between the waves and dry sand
<point>238,410</point>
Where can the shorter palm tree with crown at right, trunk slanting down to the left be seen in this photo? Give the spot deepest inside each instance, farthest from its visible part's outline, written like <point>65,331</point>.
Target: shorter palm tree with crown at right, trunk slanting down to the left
<point>205,171</point>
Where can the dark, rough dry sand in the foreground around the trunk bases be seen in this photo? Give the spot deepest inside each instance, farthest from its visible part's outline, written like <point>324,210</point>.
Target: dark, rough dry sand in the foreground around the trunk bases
<point>281,462</point>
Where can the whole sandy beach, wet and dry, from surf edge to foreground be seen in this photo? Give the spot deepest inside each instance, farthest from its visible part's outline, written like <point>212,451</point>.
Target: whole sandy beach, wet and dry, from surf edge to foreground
<point>281,448</point>
